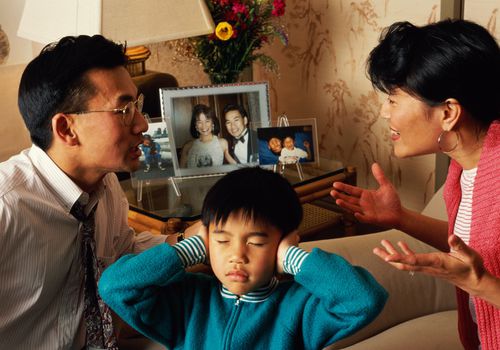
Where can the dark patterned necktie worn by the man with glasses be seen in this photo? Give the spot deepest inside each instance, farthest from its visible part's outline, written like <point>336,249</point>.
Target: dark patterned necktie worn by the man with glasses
<point>98,321</point>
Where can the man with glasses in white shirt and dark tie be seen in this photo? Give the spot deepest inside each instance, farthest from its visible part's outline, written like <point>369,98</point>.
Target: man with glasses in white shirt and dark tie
<point>84,116</point>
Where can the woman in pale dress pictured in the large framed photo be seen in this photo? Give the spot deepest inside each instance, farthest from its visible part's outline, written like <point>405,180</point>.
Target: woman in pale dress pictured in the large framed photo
<point>206,149</point>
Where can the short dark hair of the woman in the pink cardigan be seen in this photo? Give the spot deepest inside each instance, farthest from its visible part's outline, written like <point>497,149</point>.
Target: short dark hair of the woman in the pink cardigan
<point>448,59</point>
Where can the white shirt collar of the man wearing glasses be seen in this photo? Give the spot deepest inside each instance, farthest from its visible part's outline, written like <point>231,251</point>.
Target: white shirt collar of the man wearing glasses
<point>64,189</point>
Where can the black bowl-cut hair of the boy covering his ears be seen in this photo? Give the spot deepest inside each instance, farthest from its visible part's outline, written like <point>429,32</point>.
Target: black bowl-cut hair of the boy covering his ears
<point>258,194</point>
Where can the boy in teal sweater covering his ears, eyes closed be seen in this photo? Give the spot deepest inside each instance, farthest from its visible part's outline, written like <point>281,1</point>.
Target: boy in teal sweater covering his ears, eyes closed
<point>246,237</point>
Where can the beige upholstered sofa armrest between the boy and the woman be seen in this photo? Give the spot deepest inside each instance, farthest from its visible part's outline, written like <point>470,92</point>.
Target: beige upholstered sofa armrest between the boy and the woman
<point>410,297</point>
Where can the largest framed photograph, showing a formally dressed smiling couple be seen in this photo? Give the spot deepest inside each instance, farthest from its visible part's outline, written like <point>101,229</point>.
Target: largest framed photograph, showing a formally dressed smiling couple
<point>209,126</point>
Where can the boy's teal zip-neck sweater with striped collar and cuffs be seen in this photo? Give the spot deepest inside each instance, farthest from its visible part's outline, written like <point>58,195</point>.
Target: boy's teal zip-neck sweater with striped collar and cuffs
<point>328,300</point>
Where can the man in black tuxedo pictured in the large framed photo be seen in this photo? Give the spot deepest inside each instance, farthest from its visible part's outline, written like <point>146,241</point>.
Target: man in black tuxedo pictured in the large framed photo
<point>242,143</point>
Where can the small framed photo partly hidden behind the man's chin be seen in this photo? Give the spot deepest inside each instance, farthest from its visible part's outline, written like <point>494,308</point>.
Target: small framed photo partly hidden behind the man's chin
<point>156,157</point>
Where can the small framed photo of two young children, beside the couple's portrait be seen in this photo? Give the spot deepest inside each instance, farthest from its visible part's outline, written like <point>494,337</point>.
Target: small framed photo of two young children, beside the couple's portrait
<point>285,145</point>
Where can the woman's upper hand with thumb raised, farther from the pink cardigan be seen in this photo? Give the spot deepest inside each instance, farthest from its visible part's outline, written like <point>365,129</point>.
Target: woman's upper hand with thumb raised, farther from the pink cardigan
<point>380,207</point>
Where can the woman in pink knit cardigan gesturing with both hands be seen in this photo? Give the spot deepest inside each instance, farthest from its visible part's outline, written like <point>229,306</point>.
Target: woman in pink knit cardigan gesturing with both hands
<point>443,82</point>
